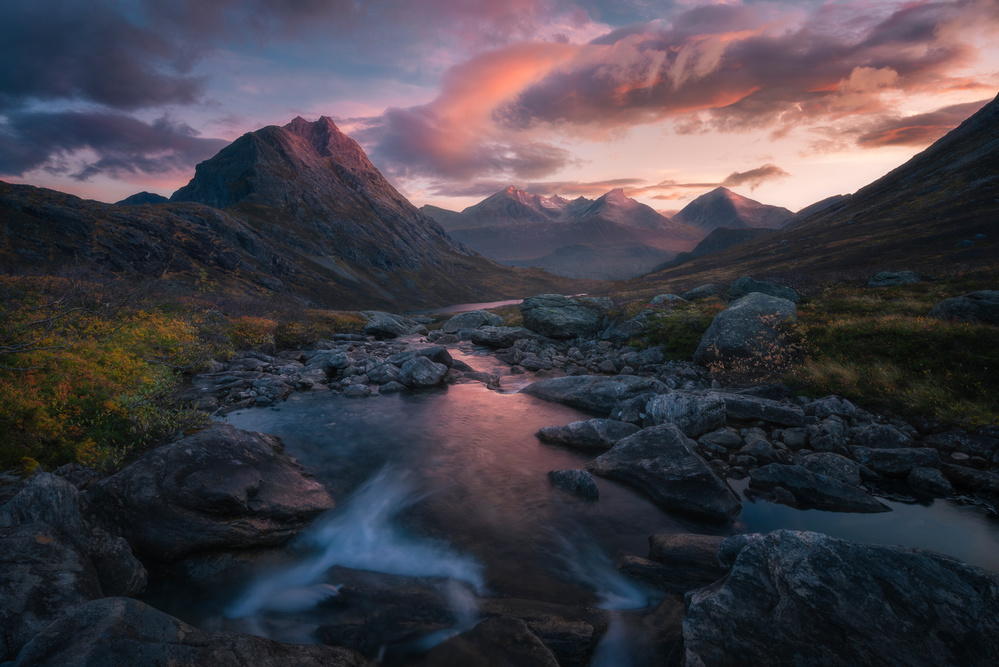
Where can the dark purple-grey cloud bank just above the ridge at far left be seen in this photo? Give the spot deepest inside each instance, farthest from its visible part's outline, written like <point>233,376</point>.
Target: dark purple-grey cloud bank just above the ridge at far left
<point>121,144</point>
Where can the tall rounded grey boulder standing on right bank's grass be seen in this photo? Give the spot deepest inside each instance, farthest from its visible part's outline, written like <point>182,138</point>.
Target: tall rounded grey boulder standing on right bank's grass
<point>747,329</point>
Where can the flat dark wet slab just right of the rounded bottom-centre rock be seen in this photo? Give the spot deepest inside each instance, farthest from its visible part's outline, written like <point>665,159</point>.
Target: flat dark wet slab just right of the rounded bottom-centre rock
<point>570,632</point>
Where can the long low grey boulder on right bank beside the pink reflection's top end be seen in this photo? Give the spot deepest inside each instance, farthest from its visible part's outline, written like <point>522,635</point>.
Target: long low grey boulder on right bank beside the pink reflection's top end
<point>598,394</point>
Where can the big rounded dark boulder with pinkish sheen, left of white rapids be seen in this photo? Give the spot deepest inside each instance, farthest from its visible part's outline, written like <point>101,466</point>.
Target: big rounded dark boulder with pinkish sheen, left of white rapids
<point>219,488</point>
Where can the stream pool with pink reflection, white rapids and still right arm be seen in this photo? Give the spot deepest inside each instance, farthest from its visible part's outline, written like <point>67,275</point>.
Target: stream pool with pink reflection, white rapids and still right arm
<point>451,483</point>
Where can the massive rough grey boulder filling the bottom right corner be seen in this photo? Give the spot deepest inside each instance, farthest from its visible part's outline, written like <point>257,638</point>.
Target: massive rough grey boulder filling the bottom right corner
<point>805,599</point>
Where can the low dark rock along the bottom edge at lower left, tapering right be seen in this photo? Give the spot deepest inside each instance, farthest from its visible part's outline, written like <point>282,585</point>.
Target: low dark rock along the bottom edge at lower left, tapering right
<point>120,631</point>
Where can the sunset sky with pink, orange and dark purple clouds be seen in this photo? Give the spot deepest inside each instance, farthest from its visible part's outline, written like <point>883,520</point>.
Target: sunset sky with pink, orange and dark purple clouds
<point>454,100</point>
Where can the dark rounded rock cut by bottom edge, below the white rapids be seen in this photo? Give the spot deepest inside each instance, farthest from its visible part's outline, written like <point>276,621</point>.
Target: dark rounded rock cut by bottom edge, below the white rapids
<point>495,642</point>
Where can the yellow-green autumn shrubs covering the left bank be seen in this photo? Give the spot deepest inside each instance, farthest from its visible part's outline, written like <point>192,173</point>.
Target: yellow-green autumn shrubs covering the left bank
<point>91,369</point>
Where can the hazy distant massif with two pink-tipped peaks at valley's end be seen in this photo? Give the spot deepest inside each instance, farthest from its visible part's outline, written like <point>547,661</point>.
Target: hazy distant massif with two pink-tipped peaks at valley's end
<point>612,237</point>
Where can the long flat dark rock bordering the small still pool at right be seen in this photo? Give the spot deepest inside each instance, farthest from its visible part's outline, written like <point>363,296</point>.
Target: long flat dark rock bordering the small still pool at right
<point>813,491</point>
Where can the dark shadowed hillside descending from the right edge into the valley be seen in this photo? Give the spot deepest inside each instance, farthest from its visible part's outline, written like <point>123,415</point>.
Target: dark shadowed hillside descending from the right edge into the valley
<point>915,217</point>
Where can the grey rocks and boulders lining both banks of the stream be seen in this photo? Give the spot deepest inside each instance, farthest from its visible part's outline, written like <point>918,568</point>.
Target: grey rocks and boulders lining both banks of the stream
<point>75,547</point>
